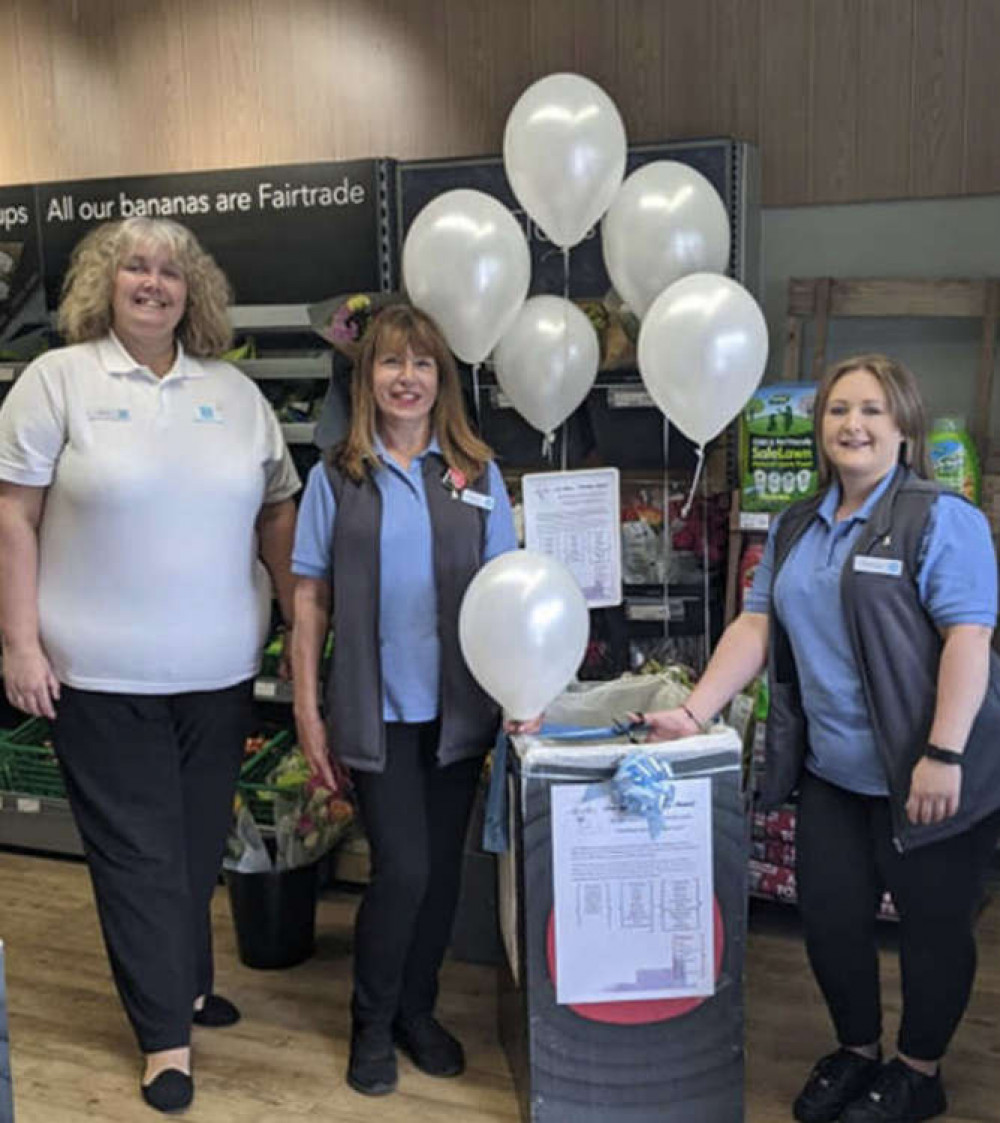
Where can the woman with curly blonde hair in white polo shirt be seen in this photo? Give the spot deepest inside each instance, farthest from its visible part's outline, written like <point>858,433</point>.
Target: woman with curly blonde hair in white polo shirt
<point>142,485</point>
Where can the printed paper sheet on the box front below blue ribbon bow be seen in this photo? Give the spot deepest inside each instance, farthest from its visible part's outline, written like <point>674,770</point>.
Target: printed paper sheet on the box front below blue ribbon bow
<point>634,915</point>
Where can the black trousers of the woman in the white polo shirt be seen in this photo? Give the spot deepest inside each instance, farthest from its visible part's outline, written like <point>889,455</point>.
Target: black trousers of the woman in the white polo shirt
<point>151,781</point>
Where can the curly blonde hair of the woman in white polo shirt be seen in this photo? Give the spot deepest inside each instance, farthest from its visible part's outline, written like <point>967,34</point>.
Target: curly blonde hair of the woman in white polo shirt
<point>86,306</point>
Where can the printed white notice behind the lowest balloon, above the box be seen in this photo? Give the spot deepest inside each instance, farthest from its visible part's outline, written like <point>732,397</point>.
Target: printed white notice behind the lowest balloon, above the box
<point>575,518</point>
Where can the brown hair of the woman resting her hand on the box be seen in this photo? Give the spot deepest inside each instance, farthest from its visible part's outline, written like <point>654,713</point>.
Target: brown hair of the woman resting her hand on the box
<point>906,407</point>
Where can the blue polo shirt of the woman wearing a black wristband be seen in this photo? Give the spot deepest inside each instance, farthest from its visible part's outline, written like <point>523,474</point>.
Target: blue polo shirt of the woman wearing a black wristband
<point>957,581</point>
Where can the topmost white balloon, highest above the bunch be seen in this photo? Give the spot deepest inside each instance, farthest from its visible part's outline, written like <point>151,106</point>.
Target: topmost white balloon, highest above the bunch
<point>565,154</point>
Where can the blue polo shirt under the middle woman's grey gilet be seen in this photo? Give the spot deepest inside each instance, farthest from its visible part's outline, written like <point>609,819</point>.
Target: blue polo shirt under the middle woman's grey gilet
<point>411,652</point>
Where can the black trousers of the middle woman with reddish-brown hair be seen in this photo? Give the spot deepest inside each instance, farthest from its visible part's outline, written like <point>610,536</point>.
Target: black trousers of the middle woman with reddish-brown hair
<point>416,816</point>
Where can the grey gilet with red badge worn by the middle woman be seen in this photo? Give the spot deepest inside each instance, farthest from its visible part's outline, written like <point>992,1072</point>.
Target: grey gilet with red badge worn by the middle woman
<point>469,718</point>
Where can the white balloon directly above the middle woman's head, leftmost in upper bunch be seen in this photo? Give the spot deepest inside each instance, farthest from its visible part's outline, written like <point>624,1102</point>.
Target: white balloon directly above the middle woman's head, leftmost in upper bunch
<point>466,262</point>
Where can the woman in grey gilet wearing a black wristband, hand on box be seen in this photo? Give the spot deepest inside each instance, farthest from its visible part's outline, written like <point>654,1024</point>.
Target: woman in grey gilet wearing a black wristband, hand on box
<point>874,609</point>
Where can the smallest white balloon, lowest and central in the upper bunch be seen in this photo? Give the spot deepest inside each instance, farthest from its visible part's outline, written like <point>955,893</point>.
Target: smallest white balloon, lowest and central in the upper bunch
<point>548,360</point>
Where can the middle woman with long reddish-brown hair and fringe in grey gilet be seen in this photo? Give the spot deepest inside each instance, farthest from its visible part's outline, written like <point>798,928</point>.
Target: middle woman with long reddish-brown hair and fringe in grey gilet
<point>394,526</point>
